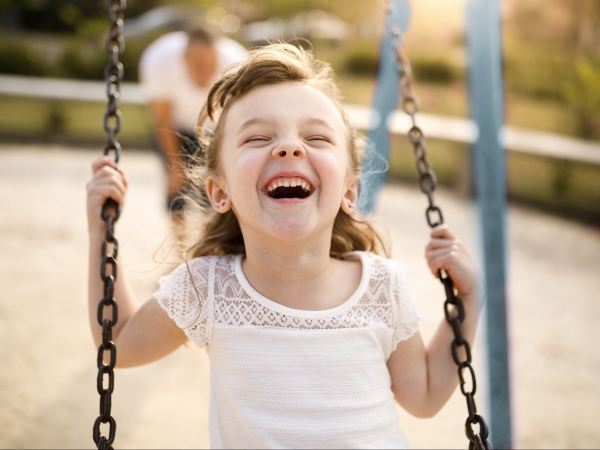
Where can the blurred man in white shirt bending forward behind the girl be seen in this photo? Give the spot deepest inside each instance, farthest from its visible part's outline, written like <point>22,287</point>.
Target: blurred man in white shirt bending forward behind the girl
<point>176,72</point>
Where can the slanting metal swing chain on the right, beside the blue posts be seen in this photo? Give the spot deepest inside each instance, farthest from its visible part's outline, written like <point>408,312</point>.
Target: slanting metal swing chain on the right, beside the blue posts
<point>428,183</point>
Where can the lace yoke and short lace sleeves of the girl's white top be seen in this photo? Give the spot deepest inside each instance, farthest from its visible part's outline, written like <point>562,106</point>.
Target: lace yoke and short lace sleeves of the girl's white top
<point>386,301</point>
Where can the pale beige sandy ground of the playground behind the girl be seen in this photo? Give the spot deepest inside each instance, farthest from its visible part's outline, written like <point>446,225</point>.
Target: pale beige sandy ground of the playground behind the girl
<point>47,380</point>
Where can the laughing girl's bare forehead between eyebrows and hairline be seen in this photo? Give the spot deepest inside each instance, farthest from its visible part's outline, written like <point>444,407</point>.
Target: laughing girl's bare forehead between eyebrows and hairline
<point>288,101</point>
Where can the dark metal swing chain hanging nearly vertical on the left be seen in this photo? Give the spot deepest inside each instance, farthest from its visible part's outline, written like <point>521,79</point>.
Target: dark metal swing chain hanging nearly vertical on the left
<point>113,74</point>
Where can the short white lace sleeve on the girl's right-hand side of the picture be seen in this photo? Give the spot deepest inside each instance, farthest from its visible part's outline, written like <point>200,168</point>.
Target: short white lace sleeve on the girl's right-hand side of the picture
<point>407,316</point>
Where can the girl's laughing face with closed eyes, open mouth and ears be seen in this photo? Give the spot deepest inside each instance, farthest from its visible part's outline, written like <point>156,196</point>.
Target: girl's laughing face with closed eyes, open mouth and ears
<point>284,163</point>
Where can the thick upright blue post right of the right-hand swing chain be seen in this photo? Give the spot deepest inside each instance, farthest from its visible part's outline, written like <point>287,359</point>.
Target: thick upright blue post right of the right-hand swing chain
<point>484,43</point>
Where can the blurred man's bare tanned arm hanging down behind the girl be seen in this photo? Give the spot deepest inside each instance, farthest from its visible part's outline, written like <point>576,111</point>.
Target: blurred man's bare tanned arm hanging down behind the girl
<point>169,143</point>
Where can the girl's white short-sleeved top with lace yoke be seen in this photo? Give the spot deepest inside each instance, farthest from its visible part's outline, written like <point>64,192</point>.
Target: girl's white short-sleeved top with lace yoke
<point>288,378</point>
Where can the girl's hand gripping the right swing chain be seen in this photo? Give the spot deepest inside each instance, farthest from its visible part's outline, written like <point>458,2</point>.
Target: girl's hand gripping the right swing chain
<point>446,252</point>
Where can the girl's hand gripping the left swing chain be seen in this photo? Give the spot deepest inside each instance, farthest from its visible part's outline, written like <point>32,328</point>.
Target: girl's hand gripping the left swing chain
<point>108,181</point>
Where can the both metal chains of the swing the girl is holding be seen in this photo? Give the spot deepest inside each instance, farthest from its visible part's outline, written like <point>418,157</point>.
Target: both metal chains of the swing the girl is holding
<point>115,45</point>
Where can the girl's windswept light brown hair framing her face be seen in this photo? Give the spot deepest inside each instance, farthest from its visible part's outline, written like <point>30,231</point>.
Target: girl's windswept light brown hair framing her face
<point>220,234</point>
